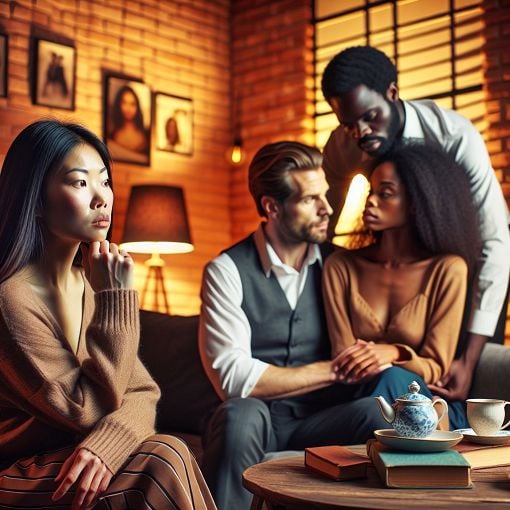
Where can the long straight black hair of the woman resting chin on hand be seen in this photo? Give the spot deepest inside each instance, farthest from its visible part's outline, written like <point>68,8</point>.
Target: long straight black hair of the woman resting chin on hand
<point>37,150</point>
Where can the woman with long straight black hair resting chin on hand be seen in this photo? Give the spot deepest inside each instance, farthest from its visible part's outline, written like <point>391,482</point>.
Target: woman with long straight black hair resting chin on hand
<point>77,407</point>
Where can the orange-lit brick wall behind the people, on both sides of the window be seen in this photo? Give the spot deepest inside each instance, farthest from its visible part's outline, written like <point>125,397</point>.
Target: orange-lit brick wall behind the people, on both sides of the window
<point>183,47</point>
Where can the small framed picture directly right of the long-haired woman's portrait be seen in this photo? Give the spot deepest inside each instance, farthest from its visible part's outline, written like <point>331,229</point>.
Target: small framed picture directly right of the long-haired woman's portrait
<point>174,123</point>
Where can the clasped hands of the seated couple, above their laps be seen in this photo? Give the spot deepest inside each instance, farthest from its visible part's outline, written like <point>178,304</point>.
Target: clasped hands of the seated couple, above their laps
<point>362,361</point>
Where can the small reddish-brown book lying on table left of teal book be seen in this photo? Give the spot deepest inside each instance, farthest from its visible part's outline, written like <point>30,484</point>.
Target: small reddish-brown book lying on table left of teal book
<point>336,462</point>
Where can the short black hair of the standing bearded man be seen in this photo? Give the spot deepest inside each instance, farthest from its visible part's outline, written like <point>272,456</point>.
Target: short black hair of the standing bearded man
<point>358,65</point>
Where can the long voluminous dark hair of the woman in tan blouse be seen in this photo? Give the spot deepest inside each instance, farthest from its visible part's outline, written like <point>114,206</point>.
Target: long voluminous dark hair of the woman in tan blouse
<point>445,217</point>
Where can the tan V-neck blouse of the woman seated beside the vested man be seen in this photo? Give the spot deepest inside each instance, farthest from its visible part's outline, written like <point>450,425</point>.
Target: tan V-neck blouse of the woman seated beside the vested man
<point>427,327</point>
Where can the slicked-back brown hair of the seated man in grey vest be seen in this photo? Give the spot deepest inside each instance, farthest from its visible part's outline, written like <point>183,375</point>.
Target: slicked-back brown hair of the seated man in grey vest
<point>268,174</point>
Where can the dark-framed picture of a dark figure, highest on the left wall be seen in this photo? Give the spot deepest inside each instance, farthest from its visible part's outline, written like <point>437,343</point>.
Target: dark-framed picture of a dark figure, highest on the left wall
<point>55,74</point>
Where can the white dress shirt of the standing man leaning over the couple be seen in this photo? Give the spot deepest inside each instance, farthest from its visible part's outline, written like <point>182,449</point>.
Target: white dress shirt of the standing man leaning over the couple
<point>426,121</point>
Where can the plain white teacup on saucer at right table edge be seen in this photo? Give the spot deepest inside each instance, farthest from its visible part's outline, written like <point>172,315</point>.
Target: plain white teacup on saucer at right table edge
<point>486,415</point>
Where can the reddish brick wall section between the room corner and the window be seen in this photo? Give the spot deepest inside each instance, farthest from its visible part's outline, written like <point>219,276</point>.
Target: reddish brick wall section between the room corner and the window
<point>272,69</point>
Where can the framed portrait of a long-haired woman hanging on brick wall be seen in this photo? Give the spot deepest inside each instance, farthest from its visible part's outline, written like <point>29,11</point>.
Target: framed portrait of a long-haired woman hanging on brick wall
<point>127,119</point>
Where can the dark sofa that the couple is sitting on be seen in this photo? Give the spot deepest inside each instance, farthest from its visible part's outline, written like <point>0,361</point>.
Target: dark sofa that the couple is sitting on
<point>169,350</point>
